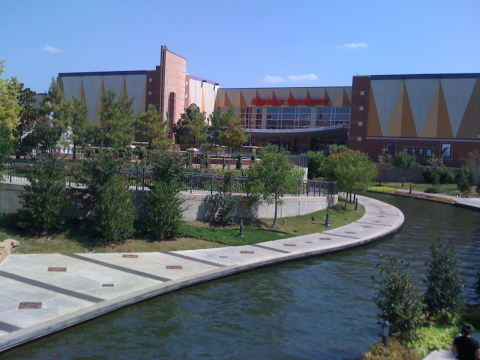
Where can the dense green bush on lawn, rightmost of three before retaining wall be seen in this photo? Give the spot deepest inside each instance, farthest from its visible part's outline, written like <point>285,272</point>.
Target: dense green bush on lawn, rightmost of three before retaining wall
<point>163,212</point>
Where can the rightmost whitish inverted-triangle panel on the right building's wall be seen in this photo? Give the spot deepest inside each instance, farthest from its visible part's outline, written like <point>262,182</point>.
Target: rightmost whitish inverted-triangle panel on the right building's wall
<point>457,93</point>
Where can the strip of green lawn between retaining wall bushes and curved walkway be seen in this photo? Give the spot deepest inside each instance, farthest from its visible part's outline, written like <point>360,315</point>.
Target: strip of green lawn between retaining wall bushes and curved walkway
<point>78,237</point>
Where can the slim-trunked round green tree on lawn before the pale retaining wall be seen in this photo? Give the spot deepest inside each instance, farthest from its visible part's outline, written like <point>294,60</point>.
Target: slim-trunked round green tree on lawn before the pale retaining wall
<point>274,177</point>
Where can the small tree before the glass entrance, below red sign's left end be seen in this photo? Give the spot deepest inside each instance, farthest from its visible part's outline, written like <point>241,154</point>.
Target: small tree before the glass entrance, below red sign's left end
<point>230,131</point>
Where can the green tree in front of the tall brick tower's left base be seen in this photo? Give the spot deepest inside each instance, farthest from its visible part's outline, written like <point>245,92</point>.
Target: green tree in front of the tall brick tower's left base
<point>150,127</point>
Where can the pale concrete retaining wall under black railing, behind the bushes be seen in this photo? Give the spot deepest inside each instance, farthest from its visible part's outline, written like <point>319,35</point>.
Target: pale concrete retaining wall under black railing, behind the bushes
<point>196,204</point>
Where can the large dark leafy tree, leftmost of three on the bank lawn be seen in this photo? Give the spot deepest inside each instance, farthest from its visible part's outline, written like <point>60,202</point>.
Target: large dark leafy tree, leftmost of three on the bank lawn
<point>44,200</point>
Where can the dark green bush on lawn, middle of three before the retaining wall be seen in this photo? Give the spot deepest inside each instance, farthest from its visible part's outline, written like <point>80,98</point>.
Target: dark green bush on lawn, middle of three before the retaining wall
<point>114,210</point>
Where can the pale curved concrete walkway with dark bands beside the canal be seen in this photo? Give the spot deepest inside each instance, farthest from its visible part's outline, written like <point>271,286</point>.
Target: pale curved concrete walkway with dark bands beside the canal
<point>44,293</point>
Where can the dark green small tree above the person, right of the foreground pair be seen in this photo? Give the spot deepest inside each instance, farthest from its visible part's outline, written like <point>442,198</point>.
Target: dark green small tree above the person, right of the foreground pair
<point>444,280</point>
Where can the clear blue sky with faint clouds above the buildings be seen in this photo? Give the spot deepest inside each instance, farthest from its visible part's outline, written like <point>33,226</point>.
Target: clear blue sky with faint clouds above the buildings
<point>241,44</point>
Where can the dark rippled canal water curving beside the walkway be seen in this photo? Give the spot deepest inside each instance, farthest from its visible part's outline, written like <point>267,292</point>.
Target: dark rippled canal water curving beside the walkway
<point>319,308</point>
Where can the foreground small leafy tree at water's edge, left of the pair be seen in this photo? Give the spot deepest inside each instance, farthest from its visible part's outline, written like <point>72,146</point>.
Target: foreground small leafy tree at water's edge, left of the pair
<point>397,298</point>
